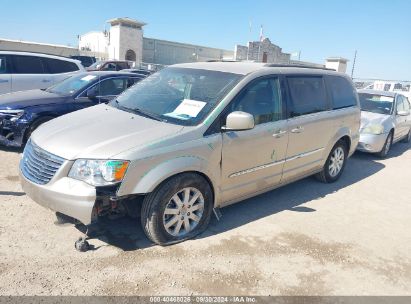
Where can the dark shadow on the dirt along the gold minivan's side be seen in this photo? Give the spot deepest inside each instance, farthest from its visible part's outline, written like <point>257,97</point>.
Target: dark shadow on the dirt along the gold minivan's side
<point>291,196</point>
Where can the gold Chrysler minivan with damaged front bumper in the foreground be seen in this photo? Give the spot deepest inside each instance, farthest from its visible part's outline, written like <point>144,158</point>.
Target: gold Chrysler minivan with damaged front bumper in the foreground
<point>190,139</point>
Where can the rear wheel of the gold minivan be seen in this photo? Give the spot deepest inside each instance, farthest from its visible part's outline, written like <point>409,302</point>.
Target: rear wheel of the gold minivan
<point>334,166</point>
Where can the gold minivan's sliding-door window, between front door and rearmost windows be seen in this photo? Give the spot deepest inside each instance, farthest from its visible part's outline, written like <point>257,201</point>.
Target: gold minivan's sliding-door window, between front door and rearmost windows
<point>308,95</point>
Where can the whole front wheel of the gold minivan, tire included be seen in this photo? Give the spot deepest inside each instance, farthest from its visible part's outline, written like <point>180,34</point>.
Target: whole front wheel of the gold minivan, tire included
<point>178,209</point>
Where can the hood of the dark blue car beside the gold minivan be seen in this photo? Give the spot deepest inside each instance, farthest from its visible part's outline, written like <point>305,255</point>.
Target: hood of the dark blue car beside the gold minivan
<point>24,99</point>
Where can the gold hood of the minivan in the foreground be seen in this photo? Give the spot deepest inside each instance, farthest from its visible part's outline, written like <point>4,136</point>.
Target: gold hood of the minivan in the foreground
<point>99,132</point>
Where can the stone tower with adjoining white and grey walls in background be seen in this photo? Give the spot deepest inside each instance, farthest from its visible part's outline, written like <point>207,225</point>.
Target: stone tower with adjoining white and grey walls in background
<point>124,41</point>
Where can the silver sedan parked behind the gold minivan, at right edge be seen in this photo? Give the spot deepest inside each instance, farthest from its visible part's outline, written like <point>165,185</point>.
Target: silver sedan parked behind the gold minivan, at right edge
<point>385,120</point>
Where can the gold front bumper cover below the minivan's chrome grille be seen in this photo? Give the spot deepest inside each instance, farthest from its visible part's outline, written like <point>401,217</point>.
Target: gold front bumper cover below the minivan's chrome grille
<point>68,196</point>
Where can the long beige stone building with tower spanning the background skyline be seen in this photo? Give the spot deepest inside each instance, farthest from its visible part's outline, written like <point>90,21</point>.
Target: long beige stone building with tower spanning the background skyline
<point>125,40</point>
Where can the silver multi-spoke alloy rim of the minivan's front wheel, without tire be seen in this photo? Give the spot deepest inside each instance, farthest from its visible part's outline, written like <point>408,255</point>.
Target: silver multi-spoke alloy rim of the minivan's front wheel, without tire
<point>183,212</point>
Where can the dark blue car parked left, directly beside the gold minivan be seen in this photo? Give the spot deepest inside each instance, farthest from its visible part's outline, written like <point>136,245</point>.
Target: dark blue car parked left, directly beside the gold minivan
<point>23,112</point>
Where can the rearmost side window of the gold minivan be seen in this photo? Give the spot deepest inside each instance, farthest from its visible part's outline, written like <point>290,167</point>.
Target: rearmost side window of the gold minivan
<point>342,92</point>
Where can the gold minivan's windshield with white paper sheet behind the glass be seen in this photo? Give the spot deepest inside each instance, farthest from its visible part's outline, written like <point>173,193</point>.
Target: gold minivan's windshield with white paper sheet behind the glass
<point>179,95</point>
